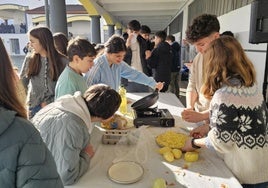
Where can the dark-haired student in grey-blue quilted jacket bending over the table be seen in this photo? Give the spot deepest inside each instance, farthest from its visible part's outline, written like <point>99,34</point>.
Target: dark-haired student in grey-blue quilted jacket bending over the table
<point>65,127</point>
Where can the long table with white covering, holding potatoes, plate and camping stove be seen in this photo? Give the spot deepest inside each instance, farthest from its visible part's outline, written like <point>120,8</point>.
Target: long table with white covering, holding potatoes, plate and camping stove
<point>209,171</point>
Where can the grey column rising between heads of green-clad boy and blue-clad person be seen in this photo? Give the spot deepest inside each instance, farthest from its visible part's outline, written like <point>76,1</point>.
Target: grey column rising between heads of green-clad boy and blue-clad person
<point>95,29</point>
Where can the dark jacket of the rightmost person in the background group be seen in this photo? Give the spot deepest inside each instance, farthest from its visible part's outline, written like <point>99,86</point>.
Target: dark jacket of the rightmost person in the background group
<point>176,57</point>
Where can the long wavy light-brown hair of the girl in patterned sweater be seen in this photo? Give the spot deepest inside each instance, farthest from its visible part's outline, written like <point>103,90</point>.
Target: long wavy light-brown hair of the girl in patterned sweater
<point>225,59</point>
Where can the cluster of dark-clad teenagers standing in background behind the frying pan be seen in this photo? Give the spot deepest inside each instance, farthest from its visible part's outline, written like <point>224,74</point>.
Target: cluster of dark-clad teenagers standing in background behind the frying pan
<point>158,58</point>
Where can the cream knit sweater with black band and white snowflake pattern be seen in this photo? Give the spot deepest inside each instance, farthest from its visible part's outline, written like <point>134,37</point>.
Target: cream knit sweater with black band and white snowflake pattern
<point>238,118</point>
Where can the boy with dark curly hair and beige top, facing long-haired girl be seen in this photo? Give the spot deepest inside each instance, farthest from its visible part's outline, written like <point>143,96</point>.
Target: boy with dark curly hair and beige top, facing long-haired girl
<point>204,29</point>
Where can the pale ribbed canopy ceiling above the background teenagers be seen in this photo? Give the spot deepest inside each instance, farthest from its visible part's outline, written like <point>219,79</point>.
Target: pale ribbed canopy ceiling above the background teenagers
<point>157,14</point>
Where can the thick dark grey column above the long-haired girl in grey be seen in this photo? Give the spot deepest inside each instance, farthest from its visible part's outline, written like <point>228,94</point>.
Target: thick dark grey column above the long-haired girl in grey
<point>58,20</point>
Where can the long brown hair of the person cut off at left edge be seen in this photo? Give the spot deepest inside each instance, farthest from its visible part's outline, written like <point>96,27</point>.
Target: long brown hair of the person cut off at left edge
<point>8,96</point>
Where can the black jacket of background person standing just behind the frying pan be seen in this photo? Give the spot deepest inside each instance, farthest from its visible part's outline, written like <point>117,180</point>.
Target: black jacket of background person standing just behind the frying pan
<point>161,60</point>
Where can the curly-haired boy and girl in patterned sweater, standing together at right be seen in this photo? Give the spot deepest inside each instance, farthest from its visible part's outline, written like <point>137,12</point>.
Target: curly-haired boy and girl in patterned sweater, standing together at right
<point>222,93</point>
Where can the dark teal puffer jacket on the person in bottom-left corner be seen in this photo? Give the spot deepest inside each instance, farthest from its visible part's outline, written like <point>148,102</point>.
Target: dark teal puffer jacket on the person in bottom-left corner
<point>25,160</point>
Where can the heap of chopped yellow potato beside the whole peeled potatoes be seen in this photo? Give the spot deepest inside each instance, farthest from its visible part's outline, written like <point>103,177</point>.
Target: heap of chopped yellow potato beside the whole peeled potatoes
<point>171,139</point>
